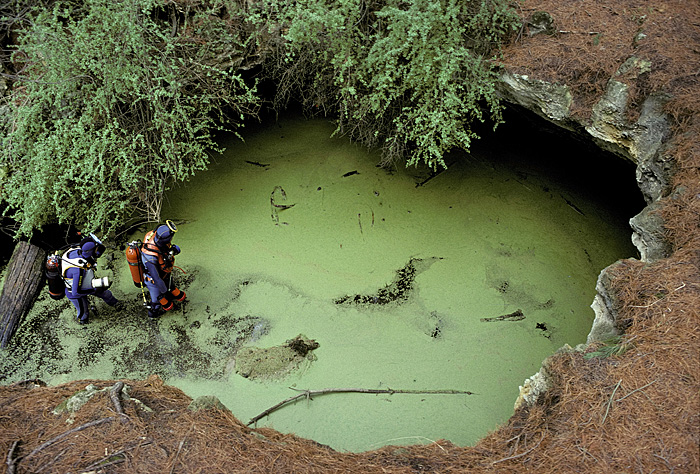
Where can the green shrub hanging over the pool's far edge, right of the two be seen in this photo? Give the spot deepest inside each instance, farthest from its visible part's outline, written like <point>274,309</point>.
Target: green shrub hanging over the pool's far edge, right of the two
<point>409,76</point>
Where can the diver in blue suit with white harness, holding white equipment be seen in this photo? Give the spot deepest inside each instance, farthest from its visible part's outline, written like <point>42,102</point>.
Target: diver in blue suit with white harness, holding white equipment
<point>78,266</point>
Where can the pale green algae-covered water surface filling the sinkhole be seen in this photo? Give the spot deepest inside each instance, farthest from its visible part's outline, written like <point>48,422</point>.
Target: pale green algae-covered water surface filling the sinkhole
<point>463,281</point>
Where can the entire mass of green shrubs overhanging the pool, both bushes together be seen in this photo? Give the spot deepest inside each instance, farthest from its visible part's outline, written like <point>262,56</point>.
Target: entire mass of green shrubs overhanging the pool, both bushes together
<point>114,101</point>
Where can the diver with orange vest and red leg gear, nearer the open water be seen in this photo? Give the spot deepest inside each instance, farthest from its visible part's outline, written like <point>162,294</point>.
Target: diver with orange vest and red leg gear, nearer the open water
<point>158,258</point>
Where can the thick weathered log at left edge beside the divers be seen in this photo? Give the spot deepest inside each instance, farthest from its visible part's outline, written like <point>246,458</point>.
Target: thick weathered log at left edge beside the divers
<point>23,280</point>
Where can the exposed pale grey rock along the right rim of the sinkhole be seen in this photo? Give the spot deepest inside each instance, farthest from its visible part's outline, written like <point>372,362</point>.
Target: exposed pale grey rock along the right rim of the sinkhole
<point>643,142</point>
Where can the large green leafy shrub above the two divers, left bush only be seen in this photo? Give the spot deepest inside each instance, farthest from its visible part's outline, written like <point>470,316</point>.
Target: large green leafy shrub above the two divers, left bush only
<point>116,101</point>
